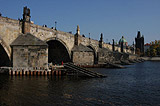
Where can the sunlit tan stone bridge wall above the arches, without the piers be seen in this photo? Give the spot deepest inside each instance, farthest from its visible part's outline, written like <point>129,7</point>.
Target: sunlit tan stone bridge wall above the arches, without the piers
<point>10,29</point>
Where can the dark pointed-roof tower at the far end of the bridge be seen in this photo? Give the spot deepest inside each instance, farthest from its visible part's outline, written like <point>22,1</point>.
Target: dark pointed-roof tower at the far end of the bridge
<point>139,43</point>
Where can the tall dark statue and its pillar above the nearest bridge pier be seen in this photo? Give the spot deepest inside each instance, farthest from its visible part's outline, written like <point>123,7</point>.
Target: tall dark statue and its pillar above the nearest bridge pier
<point>26,20</point>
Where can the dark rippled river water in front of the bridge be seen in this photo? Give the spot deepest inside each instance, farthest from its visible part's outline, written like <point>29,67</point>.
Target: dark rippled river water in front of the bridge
<point>138,84</point>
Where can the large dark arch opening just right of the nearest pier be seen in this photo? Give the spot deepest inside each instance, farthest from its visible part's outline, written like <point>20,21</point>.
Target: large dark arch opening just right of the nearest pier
<point>57,52</point>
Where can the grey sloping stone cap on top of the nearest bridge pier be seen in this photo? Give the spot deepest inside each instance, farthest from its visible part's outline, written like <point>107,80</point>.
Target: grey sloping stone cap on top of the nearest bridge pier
<point>28,40</point>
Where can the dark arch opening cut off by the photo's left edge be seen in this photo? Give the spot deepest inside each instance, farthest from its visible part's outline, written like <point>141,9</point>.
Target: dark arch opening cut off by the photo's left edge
<point>4,58</point>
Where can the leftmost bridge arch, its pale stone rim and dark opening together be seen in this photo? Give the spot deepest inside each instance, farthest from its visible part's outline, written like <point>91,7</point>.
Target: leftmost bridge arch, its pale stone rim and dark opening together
<point>5,54</point>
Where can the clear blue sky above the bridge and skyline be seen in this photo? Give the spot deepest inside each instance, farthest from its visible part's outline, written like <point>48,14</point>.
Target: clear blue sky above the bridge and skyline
<point>113,18</point>
